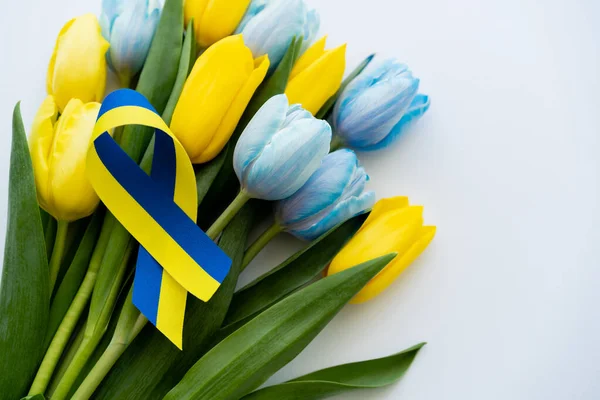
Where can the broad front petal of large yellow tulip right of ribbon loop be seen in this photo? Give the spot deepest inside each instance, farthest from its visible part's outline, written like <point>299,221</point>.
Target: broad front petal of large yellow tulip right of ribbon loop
<point>214,83</point>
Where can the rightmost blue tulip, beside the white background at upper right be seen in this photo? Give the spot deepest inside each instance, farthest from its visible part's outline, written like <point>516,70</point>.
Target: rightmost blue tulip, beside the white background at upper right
<point>377,106</point>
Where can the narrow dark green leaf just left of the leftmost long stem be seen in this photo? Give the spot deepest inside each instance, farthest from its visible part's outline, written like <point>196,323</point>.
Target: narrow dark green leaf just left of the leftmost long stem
<point>74,276</point>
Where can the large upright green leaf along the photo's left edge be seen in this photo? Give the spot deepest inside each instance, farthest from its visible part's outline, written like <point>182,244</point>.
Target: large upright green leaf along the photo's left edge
<point>24,289</point>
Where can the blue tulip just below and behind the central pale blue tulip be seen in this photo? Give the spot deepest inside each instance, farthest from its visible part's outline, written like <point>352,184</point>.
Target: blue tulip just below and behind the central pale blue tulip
<point>332,195</point>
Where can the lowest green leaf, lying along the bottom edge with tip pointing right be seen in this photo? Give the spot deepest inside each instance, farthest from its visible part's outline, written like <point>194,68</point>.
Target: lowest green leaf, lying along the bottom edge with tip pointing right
<point>328,382</point>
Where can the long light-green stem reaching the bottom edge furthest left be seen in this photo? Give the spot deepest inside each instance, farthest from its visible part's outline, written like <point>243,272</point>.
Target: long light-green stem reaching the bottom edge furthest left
<point>67,325</point>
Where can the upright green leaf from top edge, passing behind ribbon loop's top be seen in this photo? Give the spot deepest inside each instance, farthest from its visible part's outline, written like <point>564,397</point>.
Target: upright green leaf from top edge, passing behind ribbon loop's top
<point>158,75</point>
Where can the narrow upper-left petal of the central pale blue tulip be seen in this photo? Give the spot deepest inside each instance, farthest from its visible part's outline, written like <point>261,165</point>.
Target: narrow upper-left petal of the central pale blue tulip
<point>259,132</point>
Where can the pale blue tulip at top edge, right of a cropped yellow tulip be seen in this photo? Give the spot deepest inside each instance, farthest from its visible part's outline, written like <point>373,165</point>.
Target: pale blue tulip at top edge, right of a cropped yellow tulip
<point>269,26</point>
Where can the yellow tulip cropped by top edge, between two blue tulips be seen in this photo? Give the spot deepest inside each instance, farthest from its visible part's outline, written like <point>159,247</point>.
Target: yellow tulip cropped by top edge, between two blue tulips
<point>214,19</point>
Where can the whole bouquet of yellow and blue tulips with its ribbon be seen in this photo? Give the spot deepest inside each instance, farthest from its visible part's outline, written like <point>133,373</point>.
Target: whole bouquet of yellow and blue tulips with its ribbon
<point>130,211</point>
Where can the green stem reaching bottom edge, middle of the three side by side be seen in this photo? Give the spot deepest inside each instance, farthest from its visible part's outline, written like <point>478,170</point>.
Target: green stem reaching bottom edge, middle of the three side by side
<point>92,336</point>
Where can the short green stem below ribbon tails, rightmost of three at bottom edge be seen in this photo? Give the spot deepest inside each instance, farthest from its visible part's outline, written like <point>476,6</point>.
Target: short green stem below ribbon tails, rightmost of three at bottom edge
<point>108,359</point>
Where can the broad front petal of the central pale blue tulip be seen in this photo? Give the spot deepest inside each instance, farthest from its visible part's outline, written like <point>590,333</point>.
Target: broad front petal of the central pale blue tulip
<point>288,161</point>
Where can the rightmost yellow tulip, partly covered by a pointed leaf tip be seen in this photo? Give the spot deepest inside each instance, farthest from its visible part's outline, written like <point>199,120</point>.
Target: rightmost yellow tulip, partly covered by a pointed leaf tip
<point>392,226</point>
